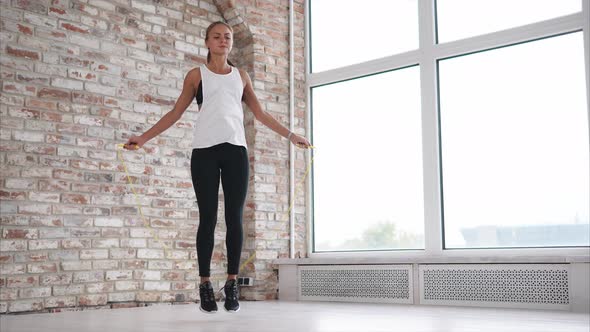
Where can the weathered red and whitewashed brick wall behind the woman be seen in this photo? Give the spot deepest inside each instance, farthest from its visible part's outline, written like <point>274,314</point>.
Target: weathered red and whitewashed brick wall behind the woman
<point>77,78</point>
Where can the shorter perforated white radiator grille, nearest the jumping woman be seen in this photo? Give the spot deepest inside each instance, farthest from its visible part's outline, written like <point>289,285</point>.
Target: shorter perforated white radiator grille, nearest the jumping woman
<point>356,283</point>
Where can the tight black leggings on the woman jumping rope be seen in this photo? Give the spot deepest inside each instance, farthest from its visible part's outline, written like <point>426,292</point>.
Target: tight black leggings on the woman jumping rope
<point>230,162</point>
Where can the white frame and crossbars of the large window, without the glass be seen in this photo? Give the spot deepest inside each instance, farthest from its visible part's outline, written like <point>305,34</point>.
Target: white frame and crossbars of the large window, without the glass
<point>426,57</point>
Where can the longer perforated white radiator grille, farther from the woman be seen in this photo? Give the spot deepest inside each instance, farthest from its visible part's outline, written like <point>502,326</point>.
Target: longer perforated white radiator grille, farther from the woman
<point>498,285</point>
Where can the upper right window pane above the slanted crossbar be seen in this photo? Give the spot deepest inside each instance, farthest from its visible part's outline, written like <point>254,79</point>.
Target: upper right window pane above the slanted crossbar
<point>458,19</point>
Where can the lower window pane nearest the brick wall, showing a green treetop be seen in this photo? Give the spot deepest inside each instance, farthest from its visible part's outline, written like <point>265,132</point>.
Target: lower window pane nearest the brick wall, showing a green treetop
<point>368,163</point>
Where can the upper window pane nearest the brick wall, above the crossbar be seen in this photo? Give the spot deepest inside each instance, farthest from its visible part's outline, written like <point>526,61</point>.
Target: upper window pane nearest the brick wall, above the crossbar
<point>349,32</point>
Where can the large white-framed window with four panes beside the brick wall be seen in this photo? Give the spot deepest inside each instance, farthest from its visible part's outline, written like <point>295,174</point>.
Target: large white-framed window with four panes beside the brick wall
<point>471,131</point>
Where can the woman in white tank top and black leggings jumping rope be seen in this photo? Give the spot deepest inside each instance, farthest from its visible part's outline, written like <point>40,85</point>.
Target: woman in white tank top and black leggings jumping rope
<point>219,152</point>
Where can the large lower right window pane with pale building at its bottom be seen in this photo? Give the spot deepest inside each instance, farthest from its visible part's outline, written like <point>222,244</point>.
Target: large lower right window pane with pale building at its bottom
<point>515,146</point>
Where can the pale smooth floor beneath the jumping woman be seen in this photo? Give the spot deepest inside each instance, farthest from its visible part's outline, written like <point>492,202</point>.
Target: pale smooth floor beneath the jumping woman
<point>279,316</point>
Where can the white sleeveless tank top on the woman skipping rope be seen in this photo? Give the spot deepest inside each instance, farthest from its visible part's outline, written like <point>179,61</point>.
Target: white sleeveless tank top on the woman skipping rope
<point>221,117</point>
